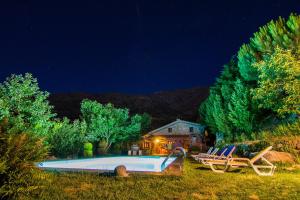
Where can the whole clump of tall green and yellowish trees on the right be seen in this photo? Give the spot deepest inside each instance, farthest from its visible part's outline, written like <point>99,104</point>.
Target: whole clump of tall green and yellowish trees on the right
<point>259,86</point>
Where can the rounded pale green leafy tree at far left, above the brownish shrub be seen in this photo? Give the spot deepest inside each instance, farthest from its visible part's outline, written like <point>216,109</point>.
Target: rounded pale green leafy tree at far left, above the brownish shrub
<point>25,106</point>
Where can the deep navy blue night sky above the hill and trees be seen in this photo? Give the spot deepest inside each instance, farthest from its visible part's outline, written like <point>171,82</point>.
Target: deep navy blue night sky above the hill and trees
<point>128,46</point>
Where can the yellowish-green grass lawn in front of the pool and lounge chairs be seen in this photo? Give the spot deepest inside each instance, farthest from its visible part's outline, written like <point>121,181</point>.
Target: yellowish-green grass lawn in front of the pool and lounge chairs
<point>197,182</point>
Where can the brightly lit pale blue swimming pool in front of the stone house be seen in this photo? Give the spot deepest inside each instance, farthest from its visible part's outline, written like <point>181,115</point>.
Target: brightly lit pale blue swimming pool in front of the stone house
<point>132,163</point>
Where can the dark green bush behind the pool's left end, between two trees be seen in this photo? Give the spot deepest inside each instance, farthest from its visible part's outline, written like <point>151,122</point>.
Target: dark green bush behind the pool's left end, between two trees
<point>67,138</point>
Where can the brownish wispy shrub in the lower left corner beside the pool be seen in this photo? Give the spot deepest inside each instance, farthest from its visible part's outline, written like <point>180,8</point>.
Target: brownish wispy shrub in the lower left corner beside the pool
<point>18,154</point>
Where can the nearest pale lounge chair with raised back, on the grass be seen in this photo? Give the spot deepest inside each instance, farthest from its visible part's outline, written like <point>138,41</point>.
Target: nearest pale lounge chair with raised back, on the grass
<point>245,162</point>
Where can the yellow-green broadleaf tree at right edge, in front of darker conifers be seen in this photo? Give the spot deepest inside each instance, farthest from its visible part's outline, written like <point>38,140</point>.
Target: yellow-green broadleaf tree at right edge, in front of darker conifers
<point>279,82</point>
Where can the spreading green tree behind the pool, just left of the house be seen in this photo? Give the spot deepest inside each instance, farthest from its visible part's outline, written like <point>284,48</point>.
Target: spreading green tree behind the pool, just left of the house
<point>105,122</point>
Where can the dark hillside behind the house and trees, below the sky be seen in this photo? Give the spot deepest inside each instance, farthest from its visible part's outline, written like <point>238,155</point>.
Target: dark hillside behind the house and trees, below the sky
<point>164,107</point>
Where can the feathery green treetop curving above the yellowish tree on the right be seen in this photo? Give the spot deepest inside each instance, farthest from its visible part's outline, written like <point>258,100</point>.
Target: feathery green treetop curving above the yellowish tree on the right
<point>280,33</point>
